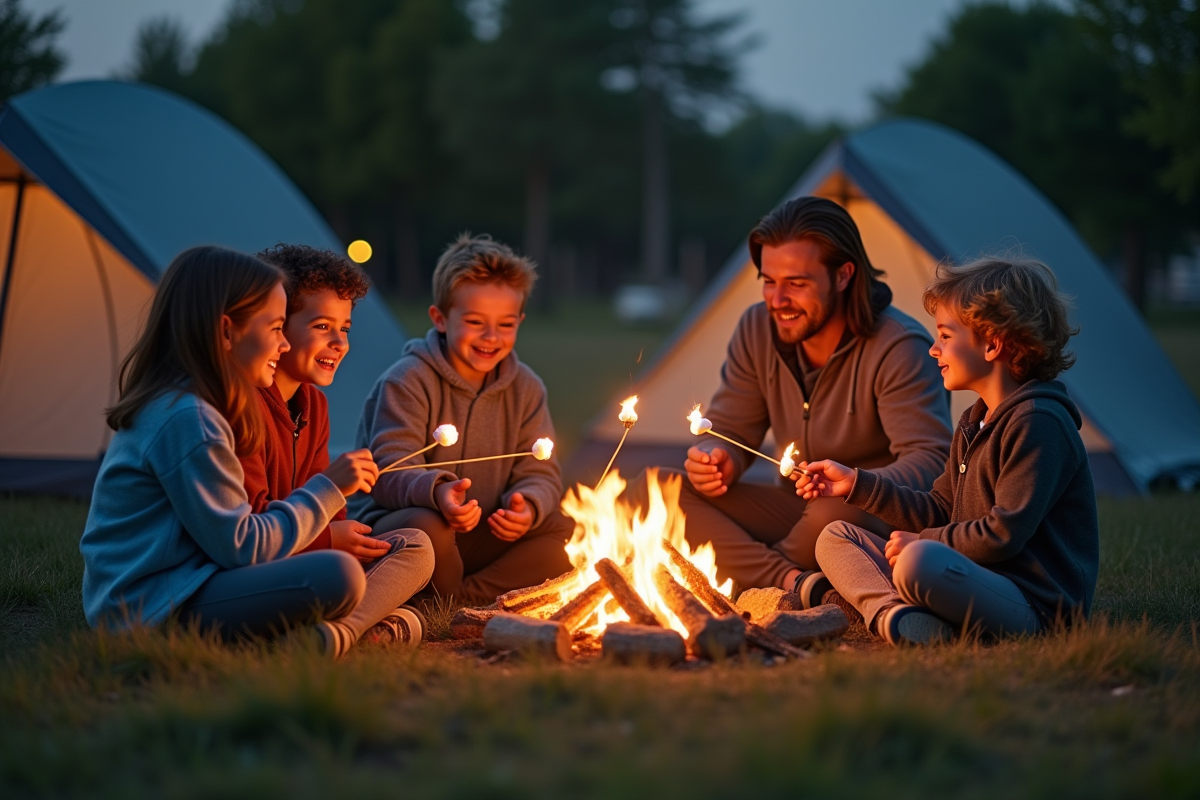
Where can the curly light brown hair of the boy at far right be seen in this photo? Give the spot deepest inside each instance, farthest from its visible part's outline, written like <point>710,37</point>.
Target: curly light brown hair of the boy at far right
<point>1016,300</point>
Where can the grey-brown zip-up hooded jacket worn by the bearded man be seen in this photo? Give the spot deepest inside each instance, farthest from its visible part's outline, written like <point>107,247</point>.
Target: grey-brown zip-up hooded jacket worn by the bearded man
<point>878,404</point>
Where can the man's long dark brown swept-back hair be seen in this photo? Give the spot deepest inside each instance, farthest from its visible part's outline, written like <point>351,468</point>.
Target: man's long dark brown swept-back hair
<point>836,234</point>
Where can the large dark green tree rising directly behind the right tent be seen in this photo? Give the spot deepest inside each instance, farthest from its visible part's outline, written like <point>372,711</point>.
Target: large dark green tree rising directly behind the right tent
<point>1027,83</point>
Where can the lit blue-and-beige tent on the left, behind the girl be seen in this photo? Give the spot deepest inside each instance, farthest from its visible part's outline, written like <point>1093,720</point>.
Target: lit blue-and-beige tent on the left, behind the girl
<point>101,185</point>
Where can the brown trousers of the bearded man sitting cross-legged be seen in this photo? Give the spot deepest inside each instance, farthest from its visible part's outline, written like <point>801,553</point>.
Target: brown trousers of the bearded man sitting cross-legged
<point>759,532</point>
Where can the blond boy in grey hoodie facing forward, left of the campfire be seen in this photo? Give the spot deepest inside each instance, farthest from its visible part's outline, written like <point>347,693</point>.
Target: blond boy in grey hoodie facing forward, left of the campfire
<point>464,372</point>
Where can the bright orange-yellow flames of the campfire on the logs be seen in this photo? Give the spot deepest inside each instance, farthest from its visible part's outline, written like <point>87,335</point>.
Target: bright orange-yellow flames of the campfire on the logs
<point>608,526</point>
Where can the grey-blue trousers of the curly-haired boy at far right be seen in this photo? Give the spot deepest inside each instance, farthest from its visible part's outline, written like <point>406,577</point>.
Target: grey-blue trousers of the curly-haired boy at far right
<point>927,574</point>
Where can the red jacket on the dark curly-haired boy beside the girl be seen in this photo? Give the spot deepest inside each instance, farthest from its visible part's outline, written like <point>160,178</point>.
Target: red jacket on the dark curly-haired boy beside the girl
<point>297,448</point>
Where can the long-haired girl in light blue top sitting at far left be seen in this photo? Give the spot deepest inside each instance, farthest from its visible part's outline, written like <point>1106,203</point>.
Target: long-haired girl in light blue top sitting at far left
<point>171,530</point>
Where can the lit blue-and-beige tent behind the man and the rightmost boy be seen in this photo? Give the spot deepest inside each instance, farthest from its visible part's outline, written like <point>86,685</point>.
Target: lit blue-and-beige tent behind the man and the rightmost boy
<point>922,194</point>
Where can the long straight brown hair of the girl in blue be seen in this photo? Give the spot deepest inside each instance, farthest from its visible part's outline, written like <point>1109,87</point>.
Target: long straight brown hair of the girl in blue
<point>181,347</point>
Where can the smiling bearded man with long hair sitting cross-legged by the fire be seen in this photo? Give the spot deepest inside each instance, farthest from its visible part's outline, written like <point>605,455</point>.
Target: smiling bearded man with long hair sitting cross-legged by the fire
<point>825,362</point>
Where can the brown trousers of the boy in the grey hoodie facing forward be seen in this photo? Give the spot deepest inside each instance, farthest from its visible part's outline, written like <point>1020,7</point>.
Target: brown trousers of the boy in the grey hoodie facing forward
<point>477,567</point>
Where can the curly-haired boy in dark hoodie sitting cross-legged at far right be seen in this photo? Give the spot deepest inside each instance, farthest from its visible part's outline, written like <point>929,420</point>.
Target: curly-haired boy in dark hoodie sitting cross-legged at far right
<point>1007,542</point>
